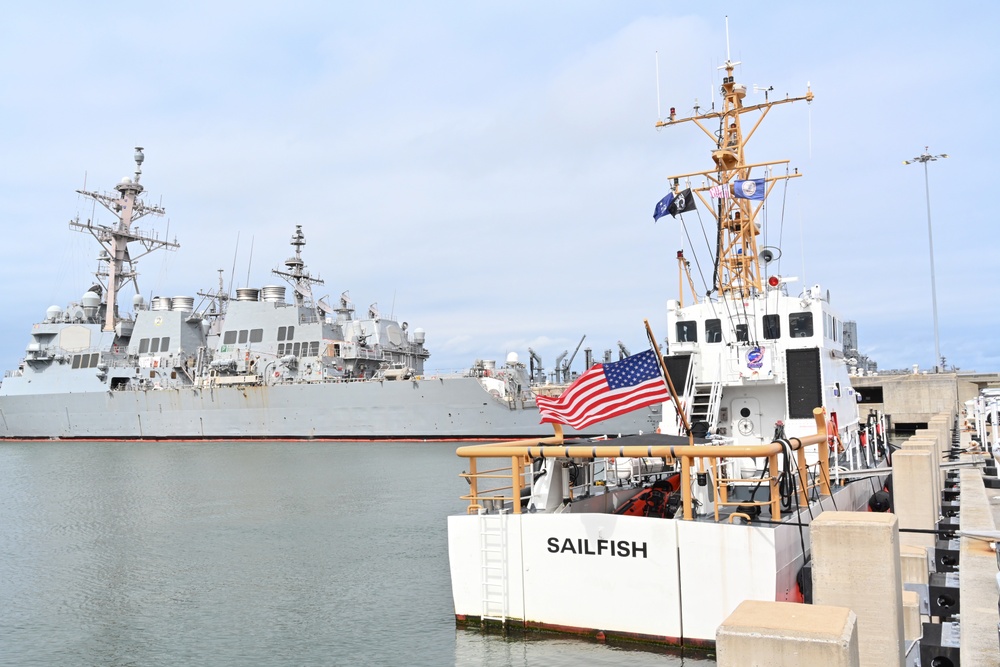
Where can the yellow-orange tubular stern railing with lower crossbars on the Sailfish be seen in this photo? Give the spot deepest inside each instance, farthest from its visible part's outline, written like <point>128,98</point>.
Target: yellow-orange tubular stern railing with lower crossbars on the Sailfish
<point>691,457</point>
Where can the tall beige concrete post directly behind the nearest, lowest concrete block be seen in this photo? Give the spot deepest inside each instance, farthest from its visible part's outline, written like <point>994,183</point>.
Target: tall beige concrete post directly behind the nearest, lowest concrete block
<point>856,565</point>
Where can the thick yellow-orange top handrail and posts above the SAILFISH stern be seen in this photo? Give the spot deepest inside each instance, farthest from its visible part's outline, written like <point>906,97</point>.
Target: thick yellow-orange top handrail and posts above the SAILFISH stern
<point>523,450</point>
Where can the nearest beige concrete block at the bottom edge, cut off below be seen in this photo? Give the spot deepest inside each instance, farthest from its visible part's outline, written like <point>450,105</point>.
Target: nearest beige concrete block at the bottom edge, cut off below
<point>786,634</point>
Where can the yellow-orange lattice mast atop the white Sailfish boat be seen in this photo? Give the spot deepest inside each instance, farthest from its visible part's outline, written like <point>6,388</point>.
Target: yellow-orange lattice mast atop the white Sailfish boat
<point>738,272</point>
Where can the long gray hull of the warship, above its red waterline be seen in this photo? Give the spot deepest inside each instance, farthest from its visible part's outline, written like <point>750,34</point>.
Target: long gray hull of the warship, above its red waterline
<point>425,409</point>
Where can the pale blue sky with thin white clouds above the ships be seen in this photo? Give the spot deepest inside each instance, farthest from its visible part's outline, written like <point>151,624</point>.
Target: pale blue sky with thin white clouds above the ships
<point>487,171</point>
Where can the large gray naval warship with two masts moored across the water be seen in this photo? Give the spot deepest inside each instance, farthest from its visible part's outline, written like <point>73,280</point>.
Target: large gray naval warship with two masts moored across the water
<point>253,366</point>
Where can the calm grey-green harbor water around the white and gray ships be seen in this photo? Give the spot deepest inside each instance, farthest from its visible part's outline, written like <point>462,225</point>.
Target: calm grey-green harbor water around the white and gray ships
<point>244,554</point>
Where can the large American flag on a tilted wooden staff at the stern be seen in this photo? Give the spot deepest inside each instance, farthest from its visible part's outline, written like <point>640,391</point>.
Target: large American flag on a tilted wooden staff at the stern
<point>606,391</point>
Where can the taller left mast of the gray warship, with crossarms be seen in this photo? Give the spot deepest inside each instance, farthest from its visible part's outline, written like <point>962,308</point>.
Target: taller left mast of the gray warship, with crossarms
<point>117,263</point>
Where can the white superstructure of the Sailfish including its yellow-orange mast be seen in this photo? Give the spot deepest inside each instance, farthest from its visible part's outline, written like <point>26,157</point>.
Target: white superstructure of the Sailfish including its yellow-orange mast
<point>759,352</point>
